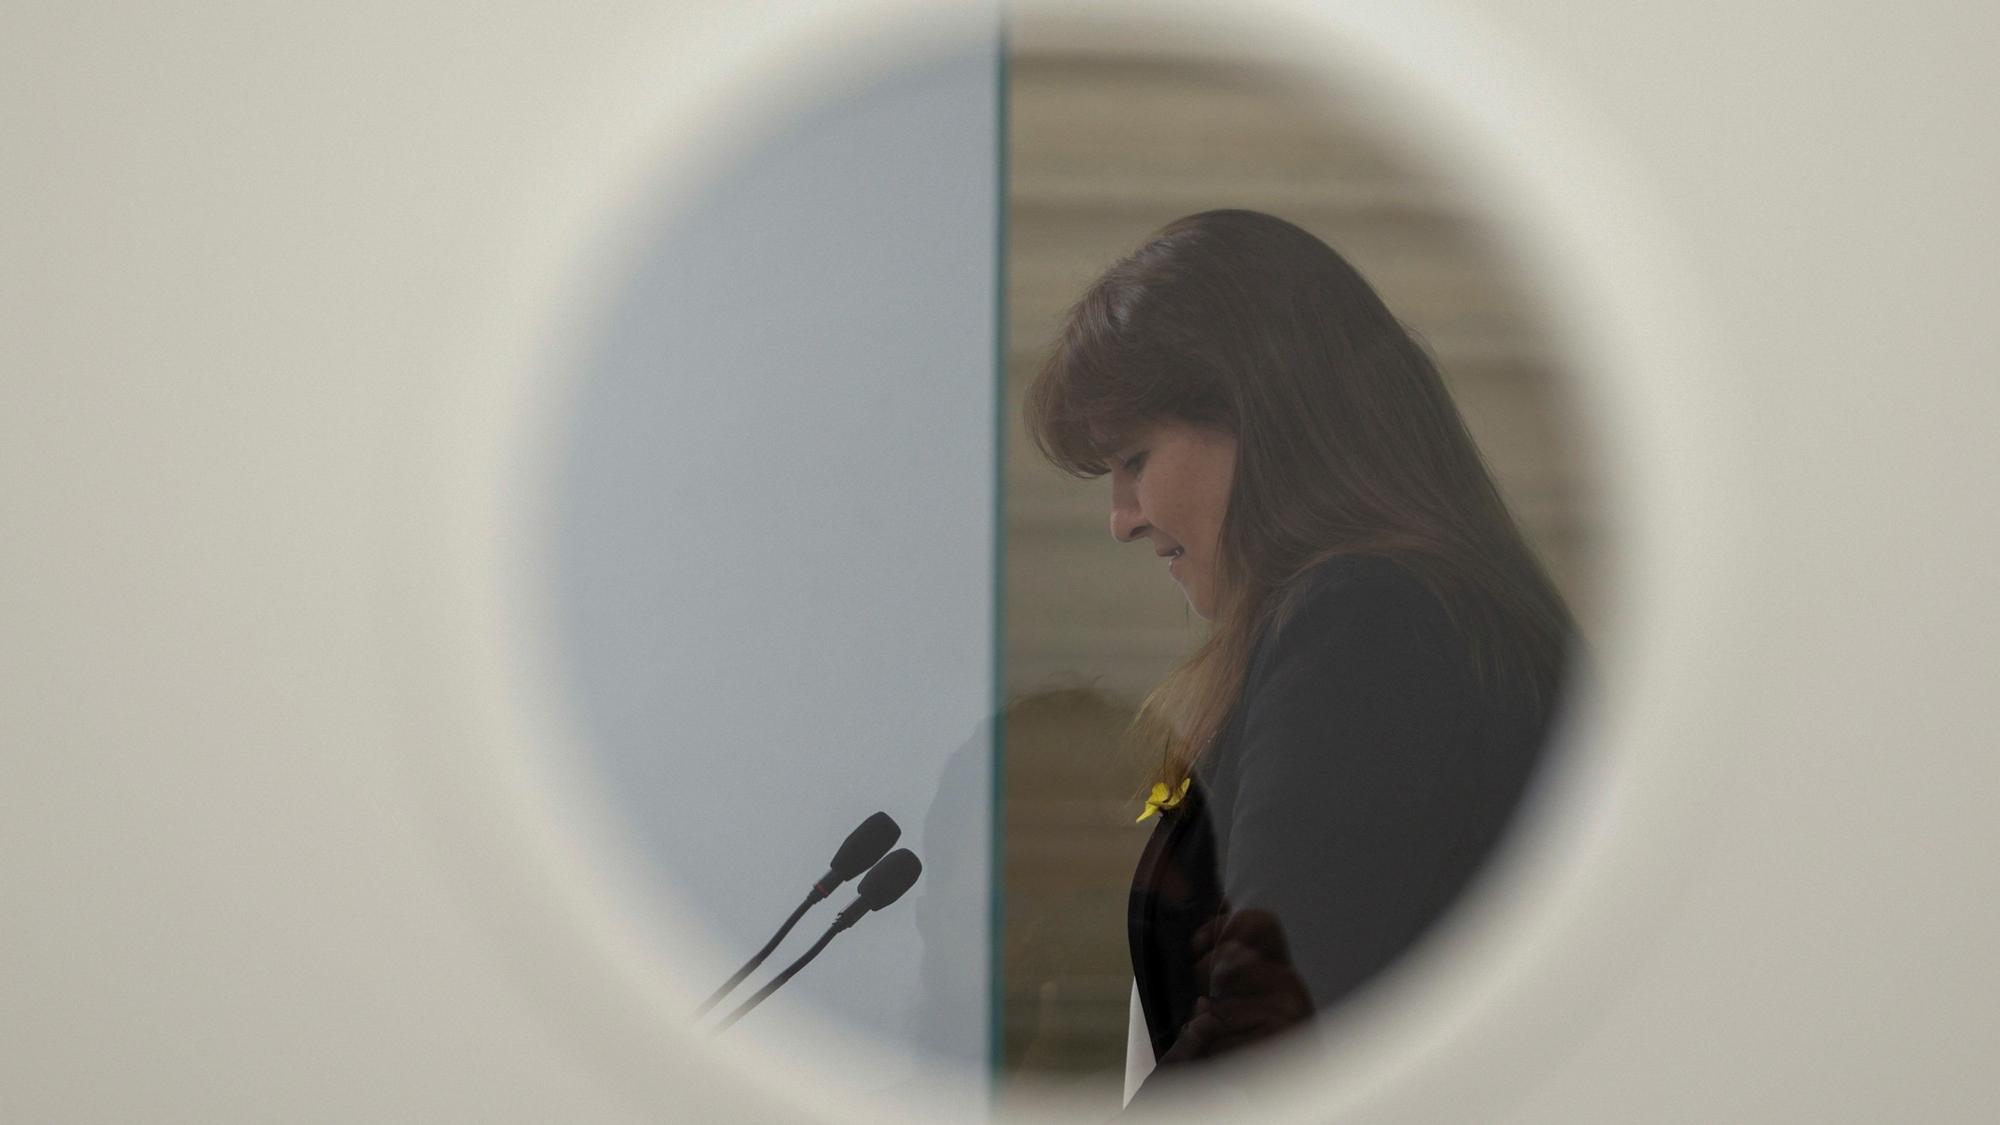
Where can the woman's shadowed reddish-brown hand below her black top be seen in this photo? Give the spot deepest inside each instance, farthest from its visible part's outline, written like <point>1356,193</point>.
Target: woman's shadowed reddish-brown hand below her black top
<point>1249,988</point>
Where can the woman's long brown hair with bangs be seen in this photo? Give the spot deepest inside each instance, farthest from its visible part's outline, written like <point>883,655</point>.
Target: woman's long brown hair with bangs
<point>1347,443</point>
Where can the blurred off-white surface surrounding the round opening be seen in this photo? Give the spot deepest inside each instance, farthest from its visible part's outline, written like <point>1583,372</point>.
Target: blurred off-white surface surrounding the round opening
<point>277,818</point>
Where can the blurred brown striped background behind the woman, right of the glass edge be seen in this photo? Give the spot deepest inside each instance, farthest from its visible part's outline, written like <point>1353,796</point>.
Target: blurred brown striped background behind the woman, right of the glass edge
<point>1103,151</point>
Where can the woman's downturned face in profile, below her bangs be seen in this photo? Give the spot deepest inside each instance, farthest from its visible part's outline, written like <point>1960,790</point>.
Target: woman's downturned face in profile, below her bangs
<point>1171,485</point>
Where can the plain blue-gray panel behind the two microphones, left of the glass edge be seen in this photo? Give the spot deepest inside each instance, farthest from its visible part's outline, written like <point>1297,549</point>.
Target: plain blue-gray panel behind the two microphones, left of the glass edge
<point>777,549</point>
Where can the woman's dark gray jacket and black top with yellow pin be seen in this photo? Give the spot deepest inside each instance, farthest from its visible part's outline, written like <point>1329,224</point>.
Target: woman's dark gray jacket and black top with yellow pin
<point>1353,794</point>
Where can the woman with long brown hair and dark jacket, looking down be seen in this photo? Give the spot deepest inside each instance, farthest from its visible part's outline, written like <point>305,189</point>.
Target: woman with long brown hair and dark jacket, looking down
<point>1347,744</point>
